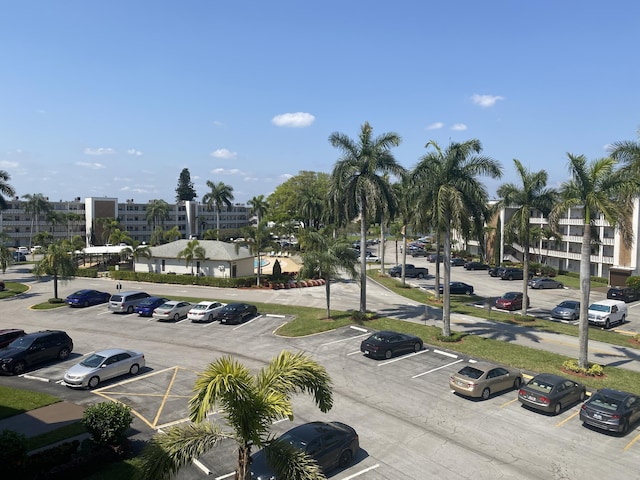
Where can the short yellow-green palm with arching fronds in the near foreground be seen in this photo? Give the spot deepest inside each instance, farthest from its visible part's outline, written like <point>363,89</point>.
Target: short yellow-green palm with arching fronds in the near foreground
<point>249,404</point>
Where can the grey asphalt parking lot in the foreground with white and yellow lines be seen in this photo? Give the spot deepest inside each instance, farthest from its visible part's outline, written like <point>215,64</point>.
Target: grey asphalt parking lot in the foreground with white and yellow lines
<point>410,424</point>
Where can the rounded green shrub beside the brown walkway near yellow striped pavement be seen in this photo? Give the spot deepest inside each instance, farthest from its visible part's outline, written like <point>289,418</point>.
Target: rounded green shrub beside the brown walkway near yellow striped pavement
<point>107,422</point>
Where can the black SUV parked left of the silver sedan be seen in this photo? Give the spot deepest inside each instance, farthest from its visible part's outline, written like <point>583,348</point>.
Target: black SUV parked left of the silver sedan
<point>34,348</point>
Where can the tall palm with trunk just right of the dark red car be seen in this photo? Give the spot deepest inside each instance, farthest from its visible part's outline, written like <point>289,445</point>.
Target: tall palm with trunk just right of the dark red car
<point>532,194</point>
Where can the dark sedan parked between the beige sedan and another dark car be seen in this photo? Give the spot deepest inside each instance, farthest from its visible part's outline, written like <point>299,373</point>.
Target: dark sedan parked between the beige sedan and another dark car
<point>550,393</point>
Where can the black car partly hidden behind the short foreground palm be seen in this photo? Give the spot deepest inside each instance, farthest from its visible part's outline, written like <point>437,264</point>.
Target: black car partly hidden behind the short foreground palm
<point>331,444</point>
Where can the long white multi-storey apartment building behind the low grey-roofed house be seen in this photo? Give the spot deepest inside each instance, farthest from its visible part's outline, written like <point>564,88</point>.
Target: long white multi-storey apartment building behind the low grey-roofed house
<point>79,217</point>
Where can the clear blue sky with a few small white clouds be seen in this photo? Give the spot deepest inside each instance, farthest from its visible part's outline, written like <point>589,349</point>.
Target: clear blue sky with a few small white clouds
<point>115,98</point>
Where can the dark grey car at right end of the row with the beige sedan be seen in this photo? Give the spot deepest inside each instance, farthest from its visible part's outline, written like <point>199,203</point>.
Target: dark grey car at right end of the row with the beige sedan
<point>611,410</point>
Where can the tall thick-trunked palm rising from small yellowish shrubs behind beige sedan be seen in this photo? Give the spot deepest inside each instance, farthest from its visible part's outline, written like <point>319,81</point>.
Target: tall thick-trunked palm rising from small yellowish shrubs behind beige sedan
<point>597,189</point>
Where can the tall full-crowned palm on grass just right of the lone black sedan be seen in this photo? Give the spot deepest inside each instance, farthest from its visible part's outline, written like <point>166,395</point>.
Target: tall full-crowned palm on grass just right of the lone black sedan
<point>455,197</point>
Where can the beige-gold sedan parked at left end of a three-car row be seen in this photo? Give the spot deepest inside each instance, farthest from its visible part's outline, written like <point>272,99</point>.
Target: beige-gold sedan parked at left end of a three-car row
<point>481,379</point>
